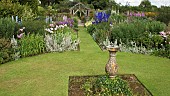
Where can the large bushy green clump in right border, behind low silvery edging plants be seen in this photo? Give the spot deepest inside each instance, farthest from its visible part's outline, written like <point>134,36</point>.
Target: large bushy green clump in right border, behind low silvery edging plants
<point>140,31</point>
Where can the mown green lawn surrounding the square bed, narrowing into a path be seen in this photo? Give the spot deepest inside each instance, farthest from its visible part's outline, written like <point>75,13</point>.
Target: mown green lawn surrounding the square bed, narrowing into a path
<point>48,74</point>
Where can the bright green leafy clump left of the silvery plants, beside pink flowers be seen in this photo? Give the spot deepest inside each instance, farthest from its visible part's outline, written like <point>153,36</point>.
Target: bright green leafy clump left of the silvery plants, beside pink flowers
<point>31,45</point>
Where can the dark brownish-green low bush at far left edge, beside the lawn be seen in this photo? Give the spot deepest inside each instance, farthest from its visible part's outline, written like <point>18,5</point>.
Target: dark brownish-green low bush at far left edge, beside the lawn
<point>6,51</point>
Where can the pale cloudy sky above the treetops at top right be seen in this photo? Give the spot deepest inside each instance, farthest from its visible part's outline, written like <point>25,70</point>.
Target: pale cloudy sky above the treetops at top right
<point>137,2</point>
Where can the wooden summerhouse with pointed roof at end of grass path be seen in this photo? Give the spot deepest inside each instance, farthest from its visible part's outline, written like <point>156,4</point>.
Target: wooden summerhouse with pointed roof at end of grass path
<point>79,7</point>
